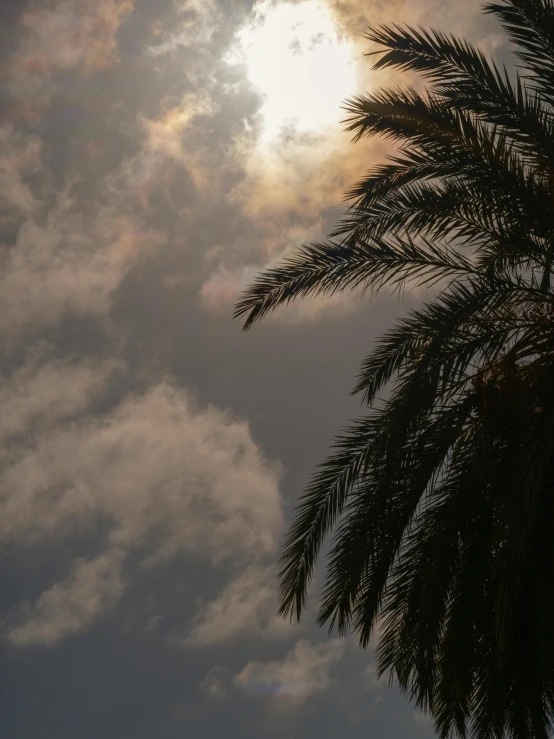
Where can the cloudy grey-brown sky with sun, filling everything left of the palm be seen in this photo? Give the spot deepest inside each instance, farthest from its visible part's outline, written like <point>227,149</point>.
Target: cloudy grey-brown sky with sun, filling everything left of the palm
<point>154,156</point>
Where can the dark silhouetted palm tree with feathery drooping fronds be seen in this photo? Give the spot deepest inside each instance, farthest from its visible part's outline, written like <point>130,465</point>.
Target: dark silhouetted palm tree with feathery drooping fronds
<point>442,498</point>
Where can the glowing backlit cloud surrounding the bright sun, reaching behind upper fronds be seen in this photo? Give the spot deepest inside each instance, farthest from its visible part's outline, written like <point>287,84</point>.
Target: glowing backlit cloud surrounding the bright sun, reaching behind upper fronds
<point>294,179</point>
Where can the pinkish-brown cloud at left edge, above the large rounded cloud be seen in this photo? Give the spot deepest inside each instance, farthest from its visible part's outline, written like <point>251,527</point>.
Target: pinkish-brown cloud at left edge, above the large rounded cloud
<point>65,253</point>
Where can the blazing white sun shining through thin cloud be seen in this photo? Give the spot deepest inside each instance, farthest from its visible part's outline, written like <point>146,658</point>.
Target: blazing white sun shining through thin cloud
<point>296,59</point>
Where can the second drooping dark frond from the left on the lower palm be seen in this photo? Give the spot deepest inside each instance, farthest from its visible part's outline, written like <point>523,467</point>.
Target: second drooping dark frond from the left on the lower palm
<point>370,535</point>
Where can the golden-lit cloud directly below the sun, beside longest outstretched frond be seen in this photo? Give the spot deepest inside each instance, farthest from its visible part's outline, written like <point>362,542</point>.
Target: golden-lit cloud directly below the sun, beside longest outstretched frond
<point>290,194</point>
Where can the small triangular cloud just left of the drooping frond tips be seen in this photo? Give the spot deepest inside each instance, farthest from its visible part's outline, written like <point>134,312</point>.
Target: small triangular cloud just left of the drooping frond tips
<point>247,605</point>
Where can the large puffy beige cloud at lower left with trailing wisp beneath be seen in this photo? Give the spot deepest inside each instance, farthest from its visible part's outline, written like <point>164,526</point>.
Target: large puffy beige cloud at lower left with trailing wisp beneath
<point>168,477</point>
